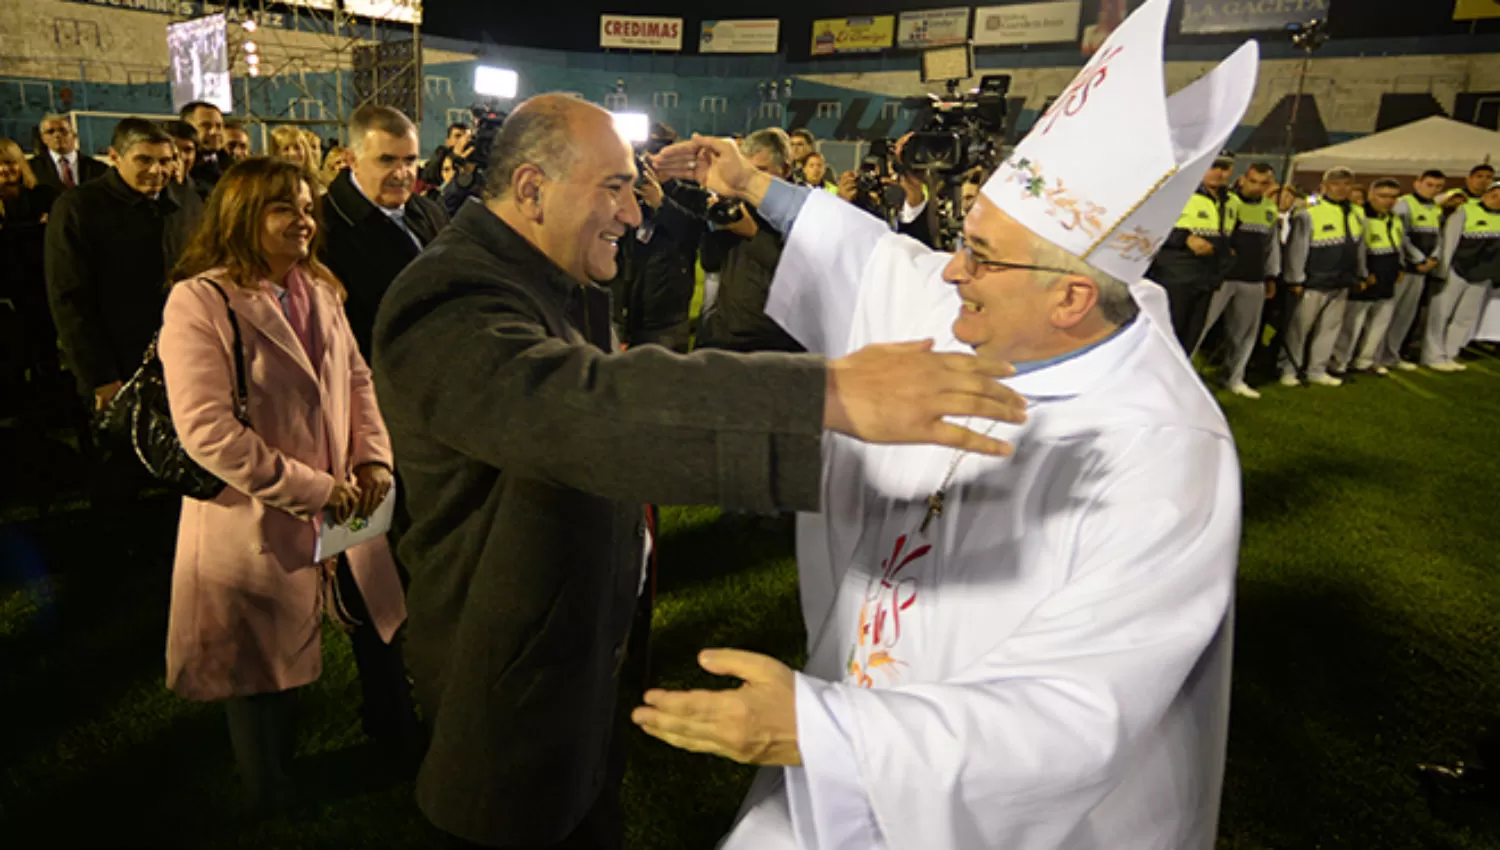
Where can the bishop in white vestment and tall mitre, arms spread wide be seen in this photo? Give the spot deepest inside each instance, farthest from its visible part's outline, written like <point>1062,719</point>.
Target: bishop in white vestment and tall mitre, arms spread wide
<point>1012,653</point>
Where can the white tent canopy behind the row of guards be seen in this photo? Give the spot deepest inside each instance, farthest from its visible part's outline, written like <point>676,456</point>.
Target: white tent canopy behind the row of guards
<point>1409,151</point>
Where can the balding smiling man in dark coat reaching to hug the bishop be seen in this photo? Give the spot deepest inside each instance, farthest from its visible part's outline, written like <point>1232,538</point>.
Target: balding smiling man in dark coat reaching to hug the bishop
<point>530,446</point>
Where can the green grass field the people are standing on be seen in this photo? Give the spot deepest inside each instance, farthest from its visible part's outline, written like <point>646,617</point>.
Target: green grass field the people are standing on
<point>1367,642</point>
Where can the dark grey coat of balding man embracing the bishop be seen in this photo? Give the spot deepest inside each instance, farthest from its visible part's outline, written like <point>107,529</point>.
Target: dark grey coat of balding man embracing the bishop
<point>529,450</point>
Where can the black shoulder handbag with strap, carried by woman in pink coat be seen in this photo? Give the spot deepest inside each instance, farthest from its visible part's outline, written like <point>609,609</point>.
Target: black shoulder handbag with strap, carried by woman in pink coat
<point>140,418</point>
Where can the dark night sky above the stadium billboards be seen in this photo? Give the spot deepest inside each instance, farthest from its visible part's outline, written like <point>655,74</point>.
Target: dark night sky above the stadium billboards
<point>574,25</point>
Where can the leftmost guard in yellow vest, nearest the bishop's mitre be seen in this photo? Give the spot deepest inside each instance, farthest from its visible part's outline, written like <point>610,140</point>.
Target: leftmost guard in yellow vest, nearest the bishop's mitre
<point>1196,256</point>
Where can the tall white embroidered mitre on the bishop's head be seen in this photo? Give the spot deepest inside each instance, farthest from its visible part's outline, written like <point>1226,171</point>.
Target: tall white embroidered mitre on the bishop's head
<point>1106,173</point>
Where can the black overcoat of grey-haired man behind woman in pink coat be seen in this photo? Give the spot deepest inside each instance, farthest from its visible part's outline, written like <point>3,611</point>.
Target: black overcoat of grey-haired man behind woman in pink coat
<point>367,250</point>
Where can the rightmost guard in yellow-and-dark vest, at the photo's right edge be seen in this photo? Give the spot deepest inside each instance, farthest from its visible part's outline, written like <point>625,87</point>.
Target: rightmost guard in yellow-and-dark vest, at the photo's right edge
<point>1471,263</point>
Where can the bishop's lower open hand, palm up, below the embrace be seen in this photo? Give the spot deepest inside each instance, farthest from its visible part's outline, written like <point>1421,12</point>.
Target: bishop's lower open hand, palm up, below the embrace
<point>752,725</point>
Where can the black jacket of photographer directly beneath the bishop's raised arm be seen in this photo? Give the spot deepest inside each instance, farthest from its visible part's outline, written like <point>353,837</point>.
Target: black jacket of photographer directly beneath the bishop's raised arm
<point>739,320</point>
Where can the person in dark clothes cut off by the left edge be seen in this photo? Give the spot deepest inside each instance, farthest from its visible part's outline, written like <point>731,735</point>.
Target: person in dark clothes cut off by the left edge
<point>25,206</point>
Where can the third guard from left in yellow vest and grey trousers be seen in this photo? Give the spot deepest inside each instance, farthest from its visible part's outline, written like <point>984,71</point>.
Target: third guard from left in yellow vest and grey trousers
<point>1325,260</point>
